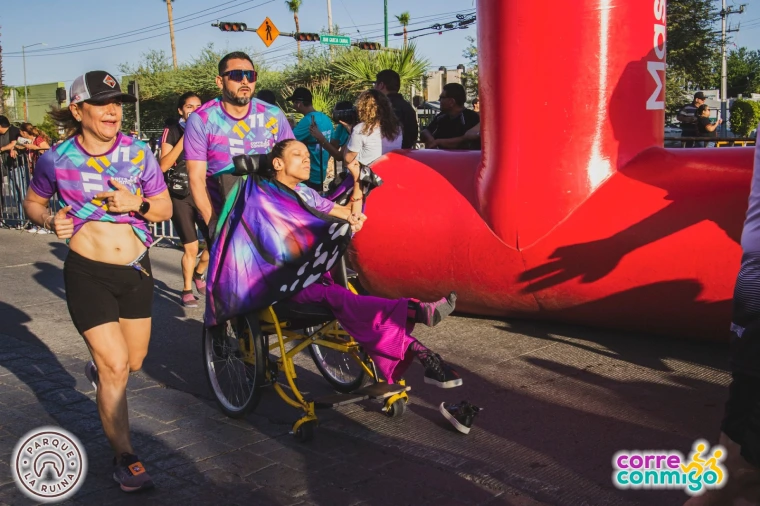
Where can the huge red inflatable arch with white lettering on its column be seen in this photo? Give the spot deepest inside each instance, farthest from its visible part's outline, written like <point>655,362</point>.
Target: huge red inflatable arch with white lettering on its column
<point>573,211</point>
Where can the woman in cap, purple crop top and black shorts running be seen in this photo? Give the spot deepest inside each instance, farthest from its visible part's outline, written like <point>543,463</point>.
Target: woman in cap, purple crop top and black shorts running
<point>112,186</point>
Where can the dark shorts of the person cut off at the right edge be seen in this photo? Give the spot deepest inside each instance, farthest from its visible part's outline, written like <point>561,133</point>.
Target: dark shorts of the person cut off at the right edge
<point>741,421</point>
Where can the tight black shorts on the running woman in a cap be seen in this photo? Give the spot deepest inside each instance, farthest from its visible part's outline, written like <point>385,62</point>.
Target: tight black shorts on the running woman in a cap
<point>99,293</point>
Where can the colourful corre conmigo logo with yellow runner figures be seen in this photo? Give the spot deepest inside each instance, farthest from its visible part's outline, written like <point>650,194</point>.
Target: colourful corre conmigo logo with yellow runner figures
<point>703,470</point>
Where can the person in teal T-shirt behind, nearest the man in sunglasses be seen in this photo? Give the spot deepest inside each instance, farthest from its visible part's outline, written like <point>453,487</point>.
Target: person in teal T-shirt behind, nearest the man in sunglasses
<point>302,103</point>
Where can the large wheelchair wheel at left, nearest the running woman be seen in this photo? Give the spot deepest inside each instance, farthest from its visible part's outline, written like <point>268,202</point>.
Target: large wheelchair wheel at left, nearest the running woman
<point>235,365</point>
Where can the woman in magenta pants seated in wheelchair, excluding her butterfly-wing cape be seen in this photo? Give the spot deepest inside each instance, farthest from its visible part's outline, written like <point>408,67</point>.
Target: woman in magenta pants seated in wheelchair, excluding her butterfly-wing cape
<point>382,326</point>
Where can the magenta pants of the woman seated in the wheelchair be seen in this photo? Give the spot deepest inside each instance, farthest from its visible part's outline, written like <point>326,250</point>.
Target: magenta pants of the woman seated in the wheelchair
<point>380,325</point>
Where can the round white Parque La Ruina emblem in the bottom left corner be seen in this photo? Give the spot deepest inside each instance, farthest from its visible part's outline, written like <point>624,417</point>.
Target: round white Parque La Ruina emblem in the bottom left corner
<point>48,464</point>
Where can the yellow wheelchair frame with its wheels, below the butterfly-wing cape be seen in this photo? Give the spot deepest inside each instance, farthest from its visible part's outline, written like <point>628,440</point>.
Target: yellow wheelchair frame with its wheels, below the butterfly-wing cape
<point>290,343</point>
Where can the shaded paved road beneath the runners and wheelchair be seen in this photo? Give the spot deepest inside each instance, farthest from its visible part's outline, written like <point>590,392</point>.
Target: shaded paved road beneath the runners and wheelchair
<point>558,402</point>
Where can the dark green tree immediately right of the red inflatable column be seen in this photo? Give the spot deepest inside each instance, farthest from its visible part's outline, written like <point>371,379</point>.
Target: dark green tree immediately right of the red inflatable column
<point>693,49</point>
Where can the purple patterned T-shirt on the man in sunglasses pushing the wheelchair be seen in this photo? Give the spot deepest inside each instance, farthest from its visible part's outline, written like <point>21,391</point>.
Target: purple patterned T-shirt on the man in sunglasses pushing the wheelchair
<point>212,135</point>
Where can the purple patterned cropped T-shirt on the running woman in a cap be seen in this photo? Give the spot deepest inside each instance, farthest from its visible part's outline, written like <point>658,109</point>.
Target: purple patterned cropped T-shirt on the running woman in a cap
<point>78,176</point>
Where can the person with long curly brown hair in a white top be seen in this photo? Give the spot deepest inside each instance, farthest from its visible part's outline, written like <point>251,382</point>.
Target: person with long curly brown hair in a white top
<point>377,132</point>
